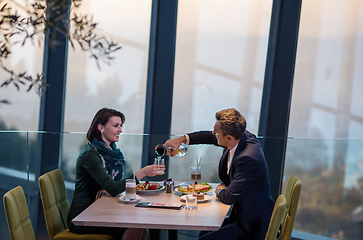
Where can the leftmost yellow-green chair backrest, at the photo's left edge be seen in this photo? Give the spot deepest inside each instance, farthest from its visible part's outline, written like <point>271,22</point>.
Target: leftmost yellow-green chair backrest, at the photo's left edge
<point>17,214</point>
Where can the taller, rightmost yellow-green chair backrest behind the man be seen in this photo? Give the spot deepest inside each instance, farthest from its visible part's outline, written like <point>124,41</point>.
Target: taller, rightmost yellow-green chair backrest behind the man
<point>292,194</point>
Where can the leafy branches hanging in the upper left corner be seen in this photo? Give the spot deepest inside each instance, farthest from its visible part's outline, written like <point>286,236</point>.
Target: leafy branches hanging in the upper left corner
<point>40,17</point>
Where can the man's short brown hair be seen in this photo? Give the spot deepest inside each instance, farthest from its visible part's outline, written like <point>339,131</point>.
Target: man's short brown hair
<point>232,122</point>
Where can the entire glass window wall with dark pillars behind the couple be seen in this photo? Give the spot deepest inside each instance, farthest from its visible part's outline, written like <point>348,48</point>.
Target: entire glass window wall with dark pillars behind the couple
<point>292,68</point>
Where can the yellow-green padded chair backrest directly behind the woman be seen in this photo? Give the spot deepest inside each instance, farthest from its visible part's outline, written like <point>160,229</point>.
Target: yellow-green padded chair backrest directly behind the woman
<point>55,203</point>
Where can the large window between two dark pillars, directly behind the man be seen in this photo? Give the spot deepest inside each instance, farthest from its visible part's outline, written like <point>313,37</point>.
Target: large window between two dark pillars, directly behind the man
<point>220,63</point>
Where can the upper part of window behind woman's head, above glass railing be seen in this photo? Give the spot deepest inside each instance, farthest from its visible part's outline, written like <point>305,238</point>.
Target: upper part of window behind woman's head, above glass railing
<point>121,85</point>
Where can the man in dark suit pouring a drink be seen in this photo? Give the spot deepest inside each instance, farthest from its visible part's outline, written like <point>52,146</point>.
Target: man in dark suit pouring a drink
<point>243,172</point>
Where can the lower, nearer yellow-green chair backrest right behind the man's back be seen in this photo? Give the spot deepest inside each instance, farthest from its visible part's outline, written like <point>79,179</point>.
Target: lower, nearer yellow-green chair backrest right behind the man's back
<point>276,218</point>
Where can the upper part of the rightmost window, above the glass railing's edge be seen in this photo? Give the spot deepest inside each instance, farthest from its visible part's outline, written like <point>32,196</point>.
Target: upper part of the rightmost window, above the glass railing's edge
<point>328,80</point>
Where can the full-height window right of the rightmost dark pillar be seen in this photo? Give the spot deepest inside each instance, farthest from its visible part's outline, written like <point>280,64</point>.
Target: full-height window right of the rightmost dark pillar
<point>327,105</point>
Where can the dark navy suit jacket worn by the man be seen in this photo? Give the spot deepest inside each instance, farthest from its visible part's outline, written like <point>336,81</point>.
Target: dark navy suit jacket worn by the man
<point>248,185</point>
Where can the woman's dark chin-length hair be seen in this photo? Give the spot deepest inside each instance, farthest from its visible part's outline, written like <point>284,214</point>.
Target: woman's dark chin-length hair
<point>102,117</point>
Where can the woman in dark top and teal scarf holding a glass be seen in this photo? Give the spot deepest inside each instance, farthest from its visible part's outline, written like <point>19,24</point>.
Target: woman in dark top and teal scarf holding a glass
<point>99,170</point>
